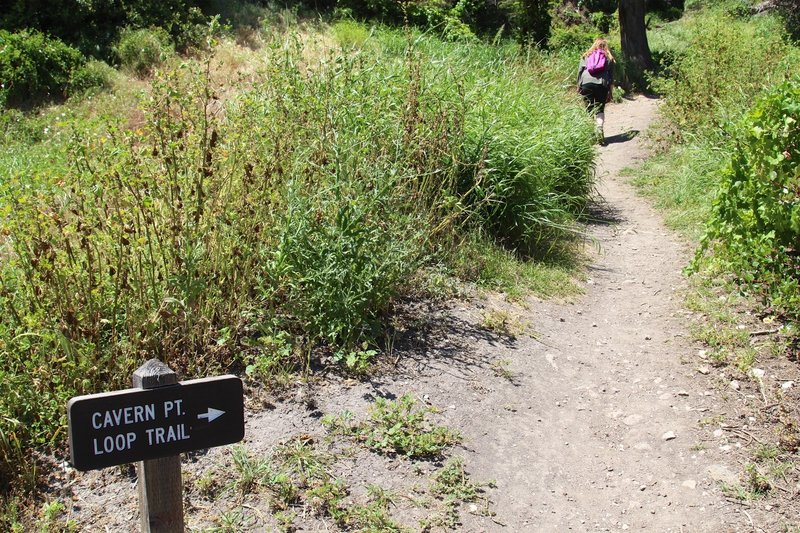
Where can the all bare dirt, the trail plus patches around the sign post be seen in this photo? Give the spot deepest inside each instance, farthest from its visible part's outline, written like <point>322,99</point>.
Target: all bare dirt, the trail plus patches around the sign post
<point>590,424</point>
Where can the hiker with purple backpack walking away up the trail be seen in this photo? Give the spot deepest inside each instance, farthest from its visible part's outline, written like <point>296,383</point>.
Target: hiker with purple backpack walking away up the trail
<point>596,81</point>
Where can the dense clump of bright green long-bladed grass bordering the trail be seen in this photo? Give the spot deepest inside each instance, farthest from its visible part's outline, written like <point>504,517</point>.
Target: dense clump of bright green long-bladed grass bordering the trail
<point>529,144</point>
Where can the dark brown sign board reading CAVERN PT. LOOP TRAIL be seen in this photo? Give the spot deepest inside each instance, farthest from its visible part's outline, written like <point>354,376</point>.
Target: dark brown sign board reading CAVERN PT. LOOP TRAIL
<point>132,425</point>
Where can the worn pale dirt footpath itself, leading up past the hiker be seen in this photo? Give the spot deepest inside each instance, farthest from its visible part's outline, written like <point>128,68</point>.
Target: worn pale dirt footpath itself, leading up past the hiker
<point>604,432</point>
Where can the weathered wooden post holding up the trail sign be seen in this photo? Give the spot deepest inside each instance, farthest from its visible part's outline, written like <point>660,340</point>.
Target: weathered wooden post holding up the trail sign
<point>159,480</point>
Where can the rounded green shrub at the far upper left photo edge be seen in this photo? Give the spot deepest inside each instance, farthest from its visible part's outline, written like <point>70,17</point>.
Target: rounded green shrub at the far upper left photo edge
<point>34,66</point>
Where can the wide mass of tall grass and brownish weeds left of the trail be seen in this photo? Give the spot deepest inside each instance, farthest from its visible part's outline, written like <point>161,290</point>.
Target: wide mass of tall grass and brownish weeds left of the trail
<point>283,218</point>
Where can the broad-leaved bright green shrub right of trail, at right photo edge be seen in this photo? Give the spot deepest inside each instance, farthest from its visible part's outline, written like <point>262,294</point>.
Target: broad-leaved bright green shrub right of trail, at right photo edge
<point>755,224</point>
